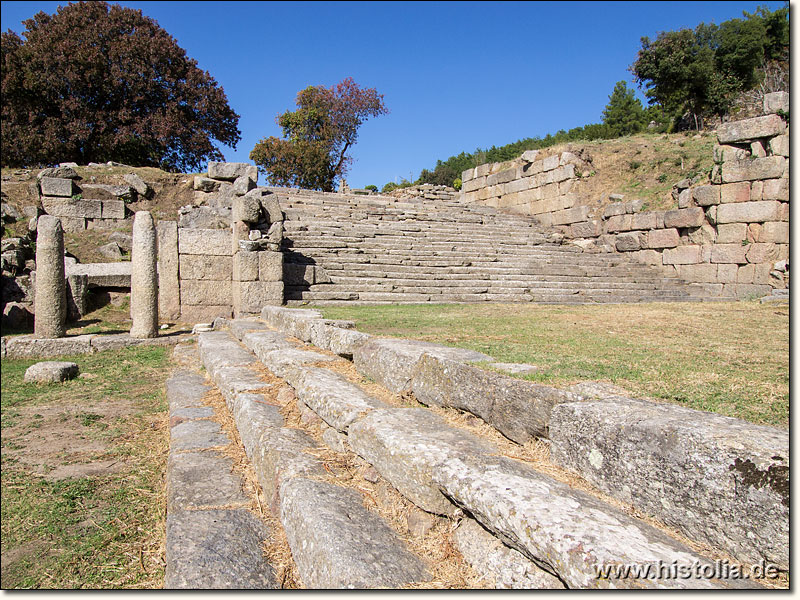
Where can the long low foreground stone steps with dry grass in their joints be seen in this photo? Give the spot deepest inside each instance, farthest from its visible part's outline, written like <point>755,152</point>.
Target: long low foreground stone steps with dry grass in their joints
<point>366,489</point>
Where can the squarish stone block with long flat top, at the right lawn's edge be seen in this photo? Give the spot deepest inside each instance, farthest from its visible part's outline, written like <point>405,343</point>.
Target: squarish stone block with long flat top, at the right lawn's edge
<point>391,362</point>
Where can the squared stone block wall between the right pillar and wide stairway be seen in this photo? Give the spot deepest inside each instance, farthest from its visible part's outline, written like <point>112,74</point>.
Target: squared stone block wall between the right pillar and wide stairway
<point>223,256</point>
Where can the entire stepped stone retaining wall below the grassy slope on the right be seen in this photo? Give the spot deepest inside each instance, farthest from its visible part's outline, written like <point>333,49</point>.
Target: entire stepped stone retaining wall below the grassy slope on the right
<point>730,231</point>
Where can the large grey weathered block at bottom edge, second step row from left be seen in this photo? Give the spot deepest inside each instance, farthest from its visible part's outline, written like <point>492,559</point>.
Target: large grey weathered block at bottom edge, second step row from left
<point>337,543</point>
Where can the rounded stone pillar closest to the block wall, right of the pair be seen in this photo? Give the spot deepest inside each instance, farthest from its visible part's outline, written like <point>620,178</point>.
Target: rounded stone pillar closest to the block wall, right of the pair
<point>144,277</point>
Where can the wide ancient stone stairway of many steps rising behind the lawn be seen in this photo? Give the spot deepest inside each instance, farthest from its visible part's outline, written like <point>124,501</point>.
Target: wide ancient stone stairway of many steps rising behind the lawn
<point>375,249</point>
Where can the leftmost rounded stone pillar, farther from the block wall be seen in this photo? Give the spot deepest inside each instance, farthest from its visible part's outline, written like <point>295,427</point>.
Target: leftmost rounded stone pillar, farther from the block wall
<point>50,303</point>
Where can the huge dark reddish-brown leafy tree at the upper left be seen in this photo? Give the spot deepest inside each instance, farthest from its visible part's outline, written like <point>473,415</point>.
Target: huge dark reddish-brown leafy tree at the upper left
<point>95,82</point>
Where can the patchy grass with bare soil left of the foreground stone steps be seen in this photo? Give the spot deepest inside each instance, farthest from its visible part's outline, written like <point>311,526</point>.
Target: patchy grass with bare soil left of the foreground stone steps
<point>83,466</point>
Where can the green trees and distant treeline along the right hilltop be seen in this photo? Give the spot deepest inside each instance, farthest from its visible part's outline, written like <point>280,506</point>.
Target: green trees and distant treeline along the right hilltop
<point>687,76</point>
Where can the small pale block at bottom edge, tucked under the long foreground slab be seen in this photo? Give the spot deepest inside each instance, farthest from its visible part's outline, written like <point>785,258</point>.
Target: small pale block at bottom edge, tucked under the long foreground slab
<point>507,567</point>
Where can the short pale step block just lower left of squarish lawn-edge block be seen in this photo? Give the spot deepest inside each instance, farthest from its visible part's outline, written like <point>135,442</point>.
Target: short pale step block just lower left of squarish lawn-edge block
<point>337,401</point>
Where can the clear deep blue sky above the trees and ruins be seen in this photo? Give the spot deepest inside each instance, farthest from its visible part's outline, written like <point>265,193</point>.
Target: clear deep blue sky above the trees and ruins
<point>455,76</point>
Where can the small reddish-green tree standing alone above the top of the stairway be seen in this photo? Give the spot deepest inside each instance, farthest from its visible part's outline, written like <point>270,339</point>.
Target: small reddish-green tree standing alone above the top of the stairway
<point>317,136</point>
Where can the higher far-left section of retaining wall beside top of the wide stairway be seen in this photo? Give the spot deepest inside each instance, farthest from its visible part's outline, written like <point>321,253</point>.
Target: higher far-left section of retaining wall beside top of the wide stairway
<point>530,186</point>
